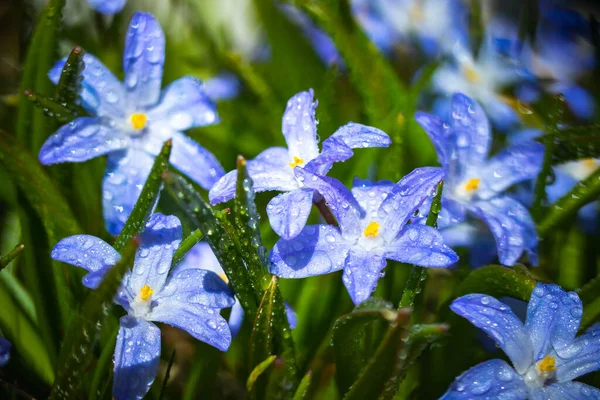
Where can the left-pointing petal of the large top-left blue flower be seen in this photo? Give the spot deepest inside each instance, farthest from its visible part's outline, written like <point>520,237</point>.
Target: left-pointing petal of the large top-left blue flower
<point>80,140</point>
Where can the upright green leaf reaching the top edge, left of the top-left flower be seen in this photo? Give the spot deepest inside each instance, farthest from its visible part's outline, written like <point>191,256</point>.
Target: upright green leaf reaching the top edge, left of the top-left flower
<point>32,128</point>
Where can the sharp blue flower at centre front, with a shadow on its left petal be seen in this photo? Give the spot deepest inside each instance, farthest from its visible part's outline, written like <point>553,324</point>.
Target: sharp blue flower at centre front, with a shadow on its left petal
<point>371,229</point>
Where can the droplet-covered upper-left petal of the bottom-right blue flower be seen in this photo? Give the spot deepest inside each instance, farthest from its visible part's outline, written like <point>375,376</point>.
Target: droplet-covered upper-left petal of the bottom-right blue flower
<point>500,323</point>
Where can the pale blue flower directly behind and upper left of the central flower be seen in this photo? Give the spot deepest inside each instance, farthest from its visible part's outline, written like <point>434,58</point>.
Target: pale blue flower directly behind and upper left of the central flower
<point>278,168</point>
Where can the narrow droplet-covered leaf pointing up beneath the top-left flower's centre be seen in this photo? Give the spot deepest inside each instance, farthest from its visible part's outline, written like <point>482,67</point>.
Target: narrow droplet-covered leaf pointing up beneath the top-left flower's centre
<point>136,221</point>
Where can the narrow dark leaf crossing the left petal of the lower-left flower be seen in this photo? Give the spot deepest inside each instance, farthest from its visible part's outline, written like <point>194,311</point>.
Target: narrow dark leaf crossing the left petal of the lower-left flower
<point>77,349</point>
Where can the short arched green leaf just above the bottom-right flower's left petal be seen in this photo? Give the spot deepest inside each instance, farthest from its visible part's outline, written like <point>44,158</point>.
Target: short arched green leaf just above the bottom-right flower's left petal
<point>498,281</point>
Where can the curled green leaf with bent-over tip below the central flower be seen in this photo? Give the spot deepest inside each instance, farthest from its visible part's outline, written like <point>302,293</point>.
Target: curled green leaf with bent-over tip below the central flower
<point>348,334</point>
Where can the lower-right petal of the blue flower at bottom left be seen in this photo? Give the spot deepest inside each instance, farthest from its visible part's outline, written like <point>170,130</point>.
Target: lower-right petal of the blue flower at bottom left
<point>203,323</point>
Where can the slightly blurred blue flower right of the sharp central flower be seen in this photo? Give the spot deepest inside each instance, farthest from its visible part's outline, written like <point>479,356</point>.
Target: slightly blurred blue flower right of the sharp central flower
<point>475,182</point>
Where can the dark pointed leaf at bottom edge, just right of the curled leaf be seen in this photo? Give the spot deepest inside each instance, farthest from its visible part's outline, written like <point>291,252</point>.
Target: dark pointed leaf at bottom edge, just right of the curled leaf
<point>381,367</point>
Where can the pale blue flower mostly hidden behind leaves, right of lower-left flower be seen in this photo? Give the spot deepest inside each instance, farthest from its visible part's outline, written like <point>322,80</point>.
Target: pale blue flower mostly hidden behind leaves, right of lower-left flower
<point>202,255</point>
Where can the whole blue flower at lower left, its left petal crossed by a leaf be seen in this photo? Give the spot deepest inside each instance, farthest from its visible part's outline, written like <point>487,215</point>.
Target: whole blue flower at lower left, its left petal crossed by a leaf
<point>189,299</point>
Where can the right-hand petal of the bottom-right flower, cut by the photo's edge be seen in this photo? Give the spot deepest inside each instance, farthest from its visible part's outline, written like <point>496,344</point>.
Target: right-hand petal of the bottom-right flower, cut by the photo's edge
<point>580,357</point>
